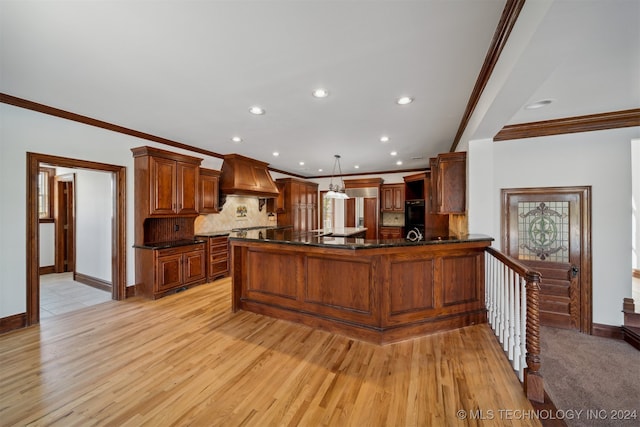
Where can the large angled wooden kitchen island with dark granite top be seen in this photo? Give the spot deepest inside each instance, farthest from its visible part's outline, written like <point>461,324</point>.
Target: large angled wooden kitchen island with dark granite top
<point>375,290</point>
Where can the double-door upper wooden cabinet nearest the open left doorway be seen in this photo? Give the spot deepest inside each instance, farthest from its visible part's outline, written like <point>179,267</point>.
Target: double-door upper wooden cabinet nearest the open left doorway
<point>166,183</point>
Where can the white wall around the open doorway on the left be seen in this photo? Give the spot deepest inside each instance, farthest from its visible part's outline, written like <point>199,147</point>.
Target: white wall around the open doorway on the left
<point>23,131</point>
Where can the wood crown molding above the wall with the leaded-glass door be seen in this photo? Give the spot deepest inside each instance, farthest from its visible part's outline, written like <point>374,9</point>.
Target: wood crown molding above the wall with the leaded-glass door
<point>588,123</point>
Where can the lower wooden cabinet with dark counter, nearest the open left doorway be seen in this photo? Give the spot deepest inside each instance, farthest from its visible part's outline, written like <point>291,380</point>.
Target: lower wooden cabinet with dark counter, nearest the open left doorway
<point>165,271</point>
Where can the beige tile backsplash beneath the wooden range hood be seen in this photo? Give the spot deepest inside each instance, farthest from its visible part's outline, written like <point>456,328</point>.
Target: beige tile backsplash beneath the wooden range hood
<point>238,211</point>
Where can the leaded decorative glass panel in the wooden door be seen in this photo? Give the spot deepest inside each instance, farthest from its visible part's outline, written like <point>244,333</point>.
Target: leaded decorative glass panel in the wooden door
<point>543,231</point>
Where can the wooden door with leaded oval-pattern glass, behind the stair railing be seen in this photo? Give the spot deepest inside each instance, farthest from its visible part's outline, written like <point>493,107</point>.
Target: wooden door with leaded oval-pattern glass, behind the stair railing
<point>548,229</point>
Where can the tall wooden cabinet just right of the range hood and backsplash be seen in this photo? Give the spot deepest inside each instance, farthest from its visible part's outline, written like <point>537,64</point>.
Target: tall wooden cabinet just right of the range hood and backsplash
<point>300,204</point>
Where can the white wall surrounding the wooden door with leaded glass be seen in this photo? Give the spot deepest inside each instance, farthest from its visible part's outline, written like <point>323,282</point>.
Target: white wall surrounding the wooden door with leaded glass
<point>599,159</point>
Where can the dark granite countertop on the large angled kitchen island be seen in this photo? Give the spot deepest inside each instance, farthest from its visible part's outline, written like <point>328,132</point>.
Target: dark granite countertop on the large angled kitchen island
<point>321,239</point>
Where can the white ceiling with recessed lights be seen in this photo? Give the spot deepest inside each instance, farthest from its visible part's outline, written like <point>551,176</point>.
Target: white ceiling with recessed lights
<point>189,71</point>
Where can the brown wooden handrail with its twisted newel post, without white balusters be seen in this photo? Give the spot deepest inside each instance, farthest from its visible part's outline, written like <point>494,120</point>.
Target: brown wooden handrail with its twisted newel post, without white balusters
<point>533,382</point>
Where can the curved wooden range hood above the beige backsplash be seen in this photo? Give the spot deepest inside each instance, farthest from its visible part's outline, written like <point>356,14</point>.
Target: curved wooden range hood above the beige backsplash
<point>246,177</point>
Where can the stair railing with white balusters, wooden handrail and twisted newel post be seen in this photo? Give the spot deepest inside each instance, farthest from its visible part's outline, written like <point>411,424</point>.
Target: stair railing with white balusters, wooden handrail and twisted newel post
<point>512,301</point>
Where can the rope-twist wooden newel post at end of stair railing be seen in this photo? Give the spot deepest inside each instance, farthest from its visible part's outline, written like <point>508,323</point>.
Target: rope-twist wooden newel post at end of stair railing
<point>533,383</point>
